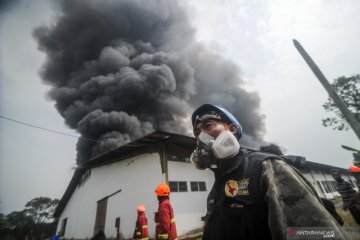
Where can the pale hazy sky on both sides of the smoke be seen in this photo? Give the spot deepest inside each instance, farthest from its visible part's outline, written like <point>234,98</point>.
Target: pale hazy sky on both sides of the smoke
<point>255,35</point>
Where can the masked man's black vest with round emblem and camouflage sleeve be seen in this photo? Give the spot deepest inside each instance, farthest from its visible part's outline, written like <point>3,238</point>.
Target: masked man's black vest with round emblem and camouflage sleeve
<point>259,196</point>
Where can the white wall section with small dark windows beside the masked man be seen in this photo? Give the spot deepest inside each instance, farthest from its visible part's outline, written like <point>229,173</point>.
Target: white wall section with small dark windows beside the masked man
<point>189,206</point>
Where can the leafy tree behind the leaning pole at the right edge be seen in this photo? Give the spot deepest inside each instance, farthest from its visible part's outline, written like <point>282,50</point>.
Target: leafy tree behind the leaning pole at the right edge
<point>348,90</point>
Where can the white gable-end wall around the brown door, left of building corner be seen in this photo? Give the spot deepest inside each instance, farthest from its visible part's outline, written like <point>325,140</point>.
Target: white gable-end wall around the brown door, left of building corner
<point>136,177</point>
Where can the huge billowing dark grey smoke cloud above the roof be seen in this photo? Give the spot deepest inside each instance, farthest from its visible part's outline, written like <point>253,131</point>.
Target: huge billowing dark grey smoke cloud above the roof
<point>122,69</point>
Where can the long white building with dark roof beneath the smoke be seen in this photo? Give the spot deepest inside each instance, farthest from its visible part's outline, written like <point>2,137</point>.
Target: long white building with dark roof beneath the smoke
<point>107,189</point>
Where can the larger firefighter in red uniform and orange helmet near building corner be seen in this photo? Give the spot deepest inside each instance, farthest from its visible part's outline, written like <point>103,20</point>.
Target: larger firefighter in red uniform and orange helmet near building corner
<point>165,227</point>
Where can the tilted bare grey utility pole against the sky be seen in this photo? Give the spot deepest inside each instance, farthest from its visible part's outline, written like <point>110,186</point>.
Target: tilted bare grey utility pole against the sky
<point>349,117</point>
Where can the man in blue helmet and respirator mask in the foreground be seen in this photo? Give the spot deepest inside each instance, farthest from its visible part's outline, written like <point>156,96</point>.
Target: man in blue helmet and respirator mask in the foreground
<point>255,195</point>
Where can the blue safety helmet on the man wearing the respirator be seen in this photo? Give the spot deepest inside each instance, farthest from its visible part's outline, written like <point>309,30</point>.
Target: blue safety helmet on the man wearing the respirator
<point>215,112</point>
